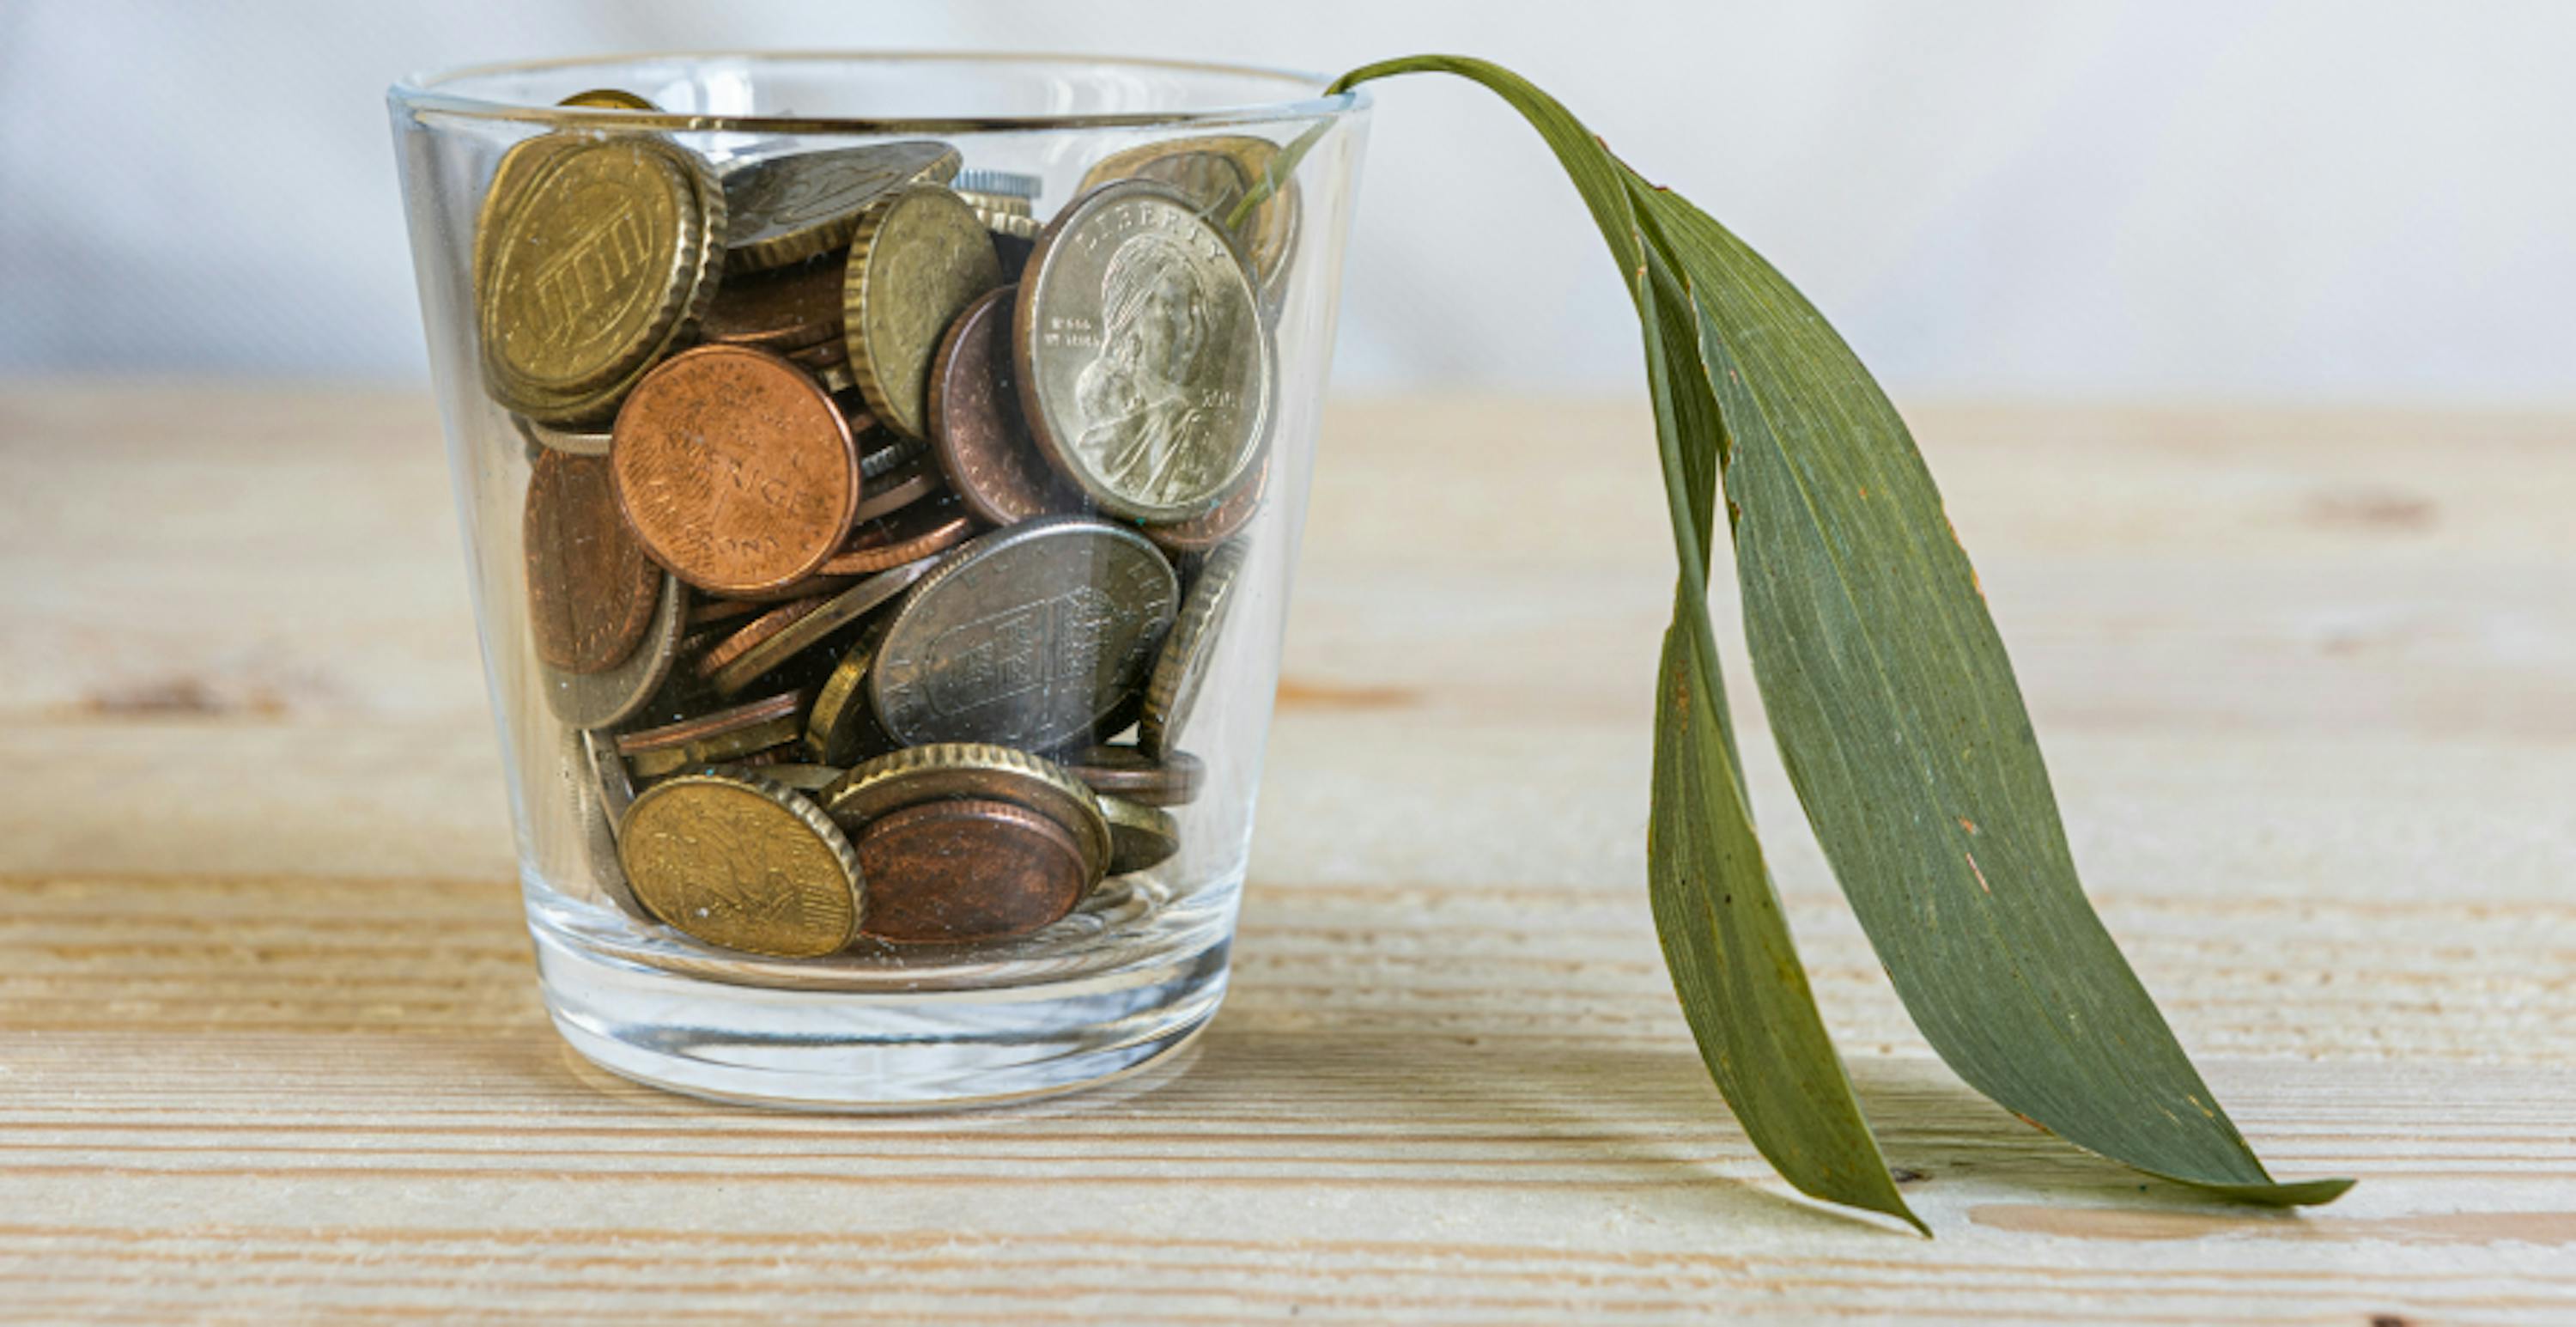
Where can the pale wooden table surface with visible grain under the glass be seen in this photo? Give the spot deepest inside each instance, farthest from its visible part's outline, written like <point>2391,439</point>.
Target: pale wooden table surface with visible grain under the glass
<point>272,1045</point>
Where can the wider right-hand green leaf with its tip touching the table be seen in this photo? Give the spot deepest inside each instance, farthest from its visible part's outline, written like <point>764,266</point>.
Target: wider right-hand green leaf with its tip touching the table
<point>1905,733</point>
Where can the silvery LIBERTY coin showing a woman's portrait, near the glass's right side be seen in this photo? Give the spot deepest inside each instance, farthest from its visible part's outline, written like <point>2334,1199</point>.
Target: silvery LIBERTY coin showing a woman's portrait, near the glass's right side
<point>1145,367</point>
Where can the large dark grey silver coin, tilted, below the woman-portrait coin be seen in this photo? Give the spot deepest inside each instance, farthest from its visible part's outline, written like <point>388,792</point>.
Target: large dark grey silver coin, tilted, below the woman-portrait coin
<point>1032,638</point>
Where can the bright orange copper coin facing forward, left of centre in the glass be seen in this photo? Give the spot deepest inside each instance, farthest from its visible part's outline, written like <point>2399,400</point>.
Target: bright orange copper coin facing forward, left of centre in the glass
<point>735,470</point>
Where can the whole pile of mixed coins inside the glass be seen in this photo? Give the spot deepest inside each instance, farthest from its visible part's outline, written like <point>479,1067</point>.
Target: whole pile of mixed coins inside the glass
<point>877,535</point>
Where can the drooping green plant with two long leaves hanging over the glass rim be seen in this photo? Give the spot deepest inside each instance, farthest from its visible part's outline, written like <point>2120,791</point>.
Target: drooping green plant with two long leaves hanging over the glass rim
<point>1897,715</point>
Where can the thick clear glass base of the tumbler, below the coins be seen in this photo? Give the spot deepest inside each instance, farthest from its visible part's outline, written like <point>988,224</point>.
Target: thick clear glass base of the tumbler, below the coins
<point>872,1050</point>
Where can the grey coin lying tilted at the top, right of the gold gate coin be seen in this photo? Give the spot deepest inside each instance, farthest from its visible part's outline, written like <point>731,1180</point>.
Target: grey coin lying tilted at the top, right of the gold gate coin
<point>808,202</point>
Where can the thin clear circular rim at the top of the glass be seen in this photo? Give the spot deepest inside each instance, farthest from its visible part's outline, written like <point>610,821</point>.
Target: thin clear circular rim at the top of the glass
<point>421,91</point>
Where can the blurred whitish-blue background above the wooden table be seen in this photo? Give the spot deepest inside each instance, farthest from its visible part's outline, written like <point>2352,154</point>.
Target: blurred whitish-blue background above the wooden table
<point>2196,200</point>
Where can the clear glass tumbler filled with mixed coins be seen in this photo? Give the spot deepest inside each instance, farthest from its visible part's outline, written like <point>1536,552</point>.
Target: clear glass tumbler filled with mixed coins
<point>880,483</point>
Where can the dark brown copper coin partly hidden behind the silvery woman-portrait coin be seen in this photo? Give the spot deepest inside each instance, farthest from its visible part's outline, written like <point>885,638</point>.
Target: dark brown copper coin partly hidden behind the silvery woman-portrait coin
<point>975,421</point>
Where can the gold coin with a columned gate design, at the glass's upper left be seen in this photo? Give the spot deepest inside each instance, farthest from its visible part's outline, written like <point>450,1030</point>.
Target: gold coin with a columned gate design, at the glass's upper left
<point>589,262</point>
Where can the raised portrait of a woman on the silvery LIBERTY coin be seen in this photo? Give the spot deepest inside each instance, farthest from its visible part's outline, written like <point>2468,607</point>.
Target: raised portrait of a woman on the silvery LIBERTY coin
<point>1140,401</point>
